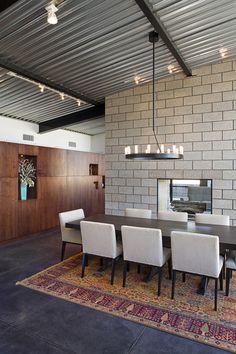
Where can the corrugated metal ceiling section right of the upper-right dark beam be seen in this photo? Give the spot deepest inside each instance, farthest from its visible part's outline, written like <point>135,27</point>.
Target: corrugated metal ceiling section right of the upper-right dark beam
<point>199,28</point>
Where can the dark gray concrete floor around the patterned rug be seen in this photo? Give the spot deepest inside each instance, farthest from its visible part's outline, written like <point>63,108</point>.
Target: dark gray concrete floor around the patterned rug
<point>31,322</point>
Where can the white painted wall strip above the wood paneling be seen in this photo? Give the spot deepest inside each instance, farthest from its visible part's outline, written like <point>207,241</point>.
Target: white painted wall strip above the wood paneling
<point>12,130</point>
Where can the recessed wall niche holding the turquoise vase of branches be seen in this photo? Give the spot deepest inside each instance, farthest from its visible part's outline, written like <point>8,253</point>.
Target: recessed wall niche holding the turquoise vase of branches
<point>27,177</point>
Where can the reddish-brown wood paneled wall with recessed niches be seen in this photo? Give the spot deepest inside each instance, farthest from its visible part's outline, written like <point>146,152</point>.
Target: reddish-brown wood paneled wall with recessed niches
<point>63,183</point>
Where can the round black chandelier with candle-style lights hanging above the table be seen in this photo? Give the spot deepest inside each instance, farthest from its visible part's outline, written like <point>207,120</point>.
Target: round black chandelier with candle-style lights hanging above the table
<point>161,153</point>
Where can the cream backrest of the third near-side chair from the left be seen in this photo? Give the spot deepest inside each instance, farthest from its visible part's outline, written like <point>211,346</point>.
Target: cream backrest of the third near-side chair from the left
<point>195,253</point>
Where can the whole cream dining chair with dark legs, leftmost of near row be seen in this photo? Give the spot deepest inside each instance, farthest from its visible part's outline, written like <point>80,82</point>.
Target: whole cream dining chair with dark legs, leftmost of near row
<point>99,239</point>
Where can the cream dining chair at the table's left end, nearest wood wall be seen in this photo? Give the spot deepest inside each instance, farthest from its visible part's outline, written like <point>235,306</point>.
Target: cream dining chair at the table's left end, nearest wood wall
<point>70,235</point>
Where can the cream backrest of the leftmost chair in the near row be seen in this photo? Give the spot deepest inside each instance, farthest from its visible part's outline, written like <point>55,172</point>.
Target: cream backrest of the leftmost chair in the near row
<point>98,238</point>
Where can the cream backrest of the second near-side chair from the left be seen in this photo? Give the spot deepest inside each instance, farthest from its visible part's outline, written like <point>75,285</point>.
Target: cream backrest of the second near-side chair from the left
<point>142,245</point>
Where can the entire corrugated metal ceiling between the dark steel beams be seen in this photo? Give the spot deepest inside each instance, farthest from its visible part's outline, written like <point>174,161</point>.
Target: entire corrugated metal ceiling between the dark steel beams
<point>98,46</point>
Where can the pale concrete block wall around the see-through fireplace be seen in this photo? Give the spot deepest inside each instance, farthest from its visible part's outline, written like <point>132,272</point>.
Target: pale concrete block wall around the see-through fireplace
<point>198,112</point>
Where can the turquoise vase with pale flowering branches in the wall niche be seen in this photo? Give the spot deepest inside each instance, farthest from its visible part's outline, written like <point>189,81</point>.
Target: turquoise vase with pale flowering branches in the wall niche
<point>27,175</point>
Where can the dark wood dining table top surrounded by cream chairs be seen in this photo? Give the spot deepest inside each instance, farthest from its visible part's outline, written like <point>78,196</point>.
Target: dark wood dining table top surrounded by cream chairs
<point>227,234</point>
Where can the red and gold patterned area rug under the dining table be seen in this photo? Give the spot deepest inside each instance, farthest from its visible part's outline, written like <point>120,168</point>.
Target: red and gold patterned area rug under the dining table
<point>190,315</point>
